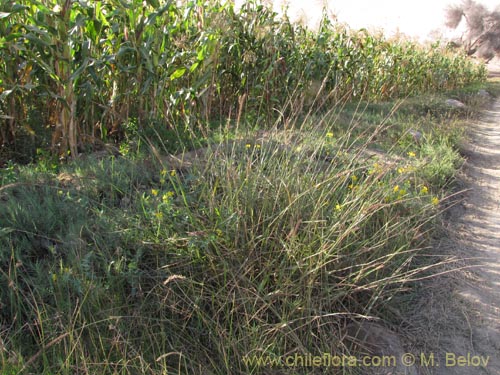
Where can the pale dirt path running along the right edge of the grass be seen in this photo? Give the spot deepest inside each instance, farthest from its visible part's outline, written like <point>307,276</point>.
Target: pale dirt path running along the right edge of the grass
<point>463,310</point>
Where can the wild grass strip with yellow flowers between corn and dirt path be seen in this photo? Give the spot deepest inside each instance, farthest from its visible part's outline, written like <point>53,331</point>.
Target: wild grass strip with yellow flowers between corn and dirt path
<point>268,245</point>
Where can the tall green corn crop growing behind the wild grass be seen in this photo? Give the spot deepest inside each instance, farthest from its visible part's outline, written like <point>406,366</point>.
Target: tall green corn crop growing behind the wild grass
<point>75,72</point>
